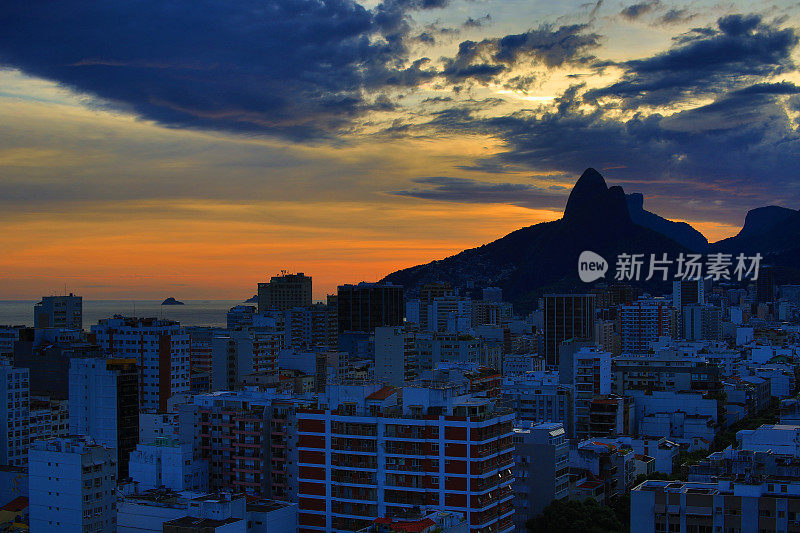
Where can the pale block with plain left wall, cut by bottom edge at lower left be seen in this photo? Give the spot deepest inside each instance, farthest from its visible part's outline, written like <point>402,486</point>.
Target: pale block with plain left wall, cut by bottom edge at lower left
<point>72,486</point>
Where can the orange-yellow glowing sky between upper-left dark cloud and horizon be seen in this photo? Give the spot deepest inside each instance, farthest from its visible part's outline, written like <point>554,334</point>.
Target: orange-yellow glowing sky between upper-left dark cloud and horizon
<point>112,210</point>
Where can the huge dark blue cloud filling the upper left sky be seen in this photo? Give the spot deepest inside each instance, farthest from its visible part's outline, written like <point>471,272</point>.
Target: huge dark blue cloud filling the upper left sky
<point>296,68</point>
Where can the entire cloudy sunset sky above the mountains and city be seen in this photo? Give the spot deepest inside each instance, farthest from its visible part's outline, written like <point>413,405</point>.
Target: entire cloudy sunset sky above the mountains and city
<point>193,148</point>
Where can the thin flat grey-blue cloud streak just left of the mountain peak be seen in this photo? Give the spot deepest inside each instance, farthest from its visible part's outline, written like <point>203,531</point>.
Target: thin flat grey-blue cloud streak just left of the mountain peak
<point>449,189</point>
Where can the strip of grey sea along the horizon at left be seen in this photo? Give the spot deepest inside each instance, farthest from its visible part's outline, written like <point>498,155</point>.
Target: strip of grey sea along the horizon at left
<point>194,313</point>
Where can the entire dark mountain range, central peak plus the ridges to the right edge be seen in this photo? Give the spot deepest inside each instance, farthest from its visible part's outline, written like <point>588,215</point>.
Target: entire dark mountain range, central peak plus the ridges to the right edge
<point>543,258</point>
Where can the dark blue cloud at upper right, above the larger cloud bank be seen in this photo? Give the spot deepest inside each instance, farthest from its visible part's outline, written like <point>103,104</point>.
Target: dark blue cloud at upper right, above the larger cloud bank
<point>741,49</point>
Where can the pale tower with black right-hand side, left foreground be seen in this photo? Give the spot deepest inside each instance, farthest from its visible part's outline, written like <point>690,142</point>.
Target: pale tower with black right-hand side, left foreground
<point>104,404</point>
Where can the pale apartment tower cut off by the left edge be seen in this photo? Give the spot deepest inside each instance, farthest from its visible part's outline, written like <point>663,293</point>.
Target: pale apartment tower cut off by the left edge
<point>14,416</point>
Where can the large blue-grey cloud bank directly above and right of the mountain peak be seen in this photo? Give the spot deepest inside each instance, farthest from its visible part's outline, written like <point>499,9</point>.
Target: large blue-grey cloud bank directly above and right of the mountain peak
<point>709,163</point>
